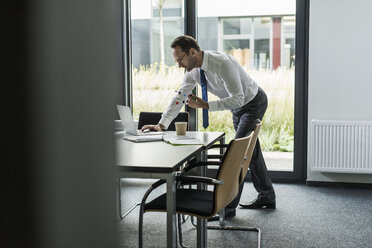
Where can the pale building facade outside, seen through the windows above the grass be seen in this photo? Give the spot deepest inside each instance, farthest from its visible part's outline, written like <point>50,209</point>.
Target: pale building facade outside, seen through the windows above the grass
<point>260,34</point>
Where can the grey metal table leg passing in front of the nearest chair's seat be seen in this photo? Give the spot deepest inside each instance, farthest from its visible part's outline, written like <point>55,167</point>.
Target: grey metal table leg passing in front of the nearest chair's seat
<point>171,211</point>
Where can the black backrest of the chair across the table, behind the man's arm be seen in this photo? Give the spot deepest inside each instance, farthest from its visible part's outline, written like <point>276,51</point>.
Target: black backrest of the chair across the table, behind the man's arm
<point>153,118</point>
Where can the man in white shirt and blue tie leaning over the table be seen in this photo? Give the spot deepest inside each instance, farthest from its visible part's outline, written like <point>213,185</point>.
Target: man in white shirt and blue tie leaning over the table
<point>222,75</point>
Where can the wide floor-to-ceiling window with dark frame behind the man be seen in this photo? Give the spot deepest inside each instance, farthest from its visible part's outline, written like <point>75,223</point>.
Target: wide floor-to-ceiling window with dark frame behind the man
<point>282,18</point>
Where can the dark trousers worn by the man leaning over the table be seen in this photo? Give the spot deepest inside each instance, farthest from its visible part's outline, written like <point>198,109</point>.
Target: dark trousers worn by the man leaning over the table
<point>243,119</point>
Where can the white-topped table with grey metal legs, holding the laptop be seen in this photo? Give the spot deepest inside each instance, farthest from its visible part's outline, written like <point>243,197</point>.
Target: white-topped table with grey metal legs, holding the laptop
<point>161,161</point>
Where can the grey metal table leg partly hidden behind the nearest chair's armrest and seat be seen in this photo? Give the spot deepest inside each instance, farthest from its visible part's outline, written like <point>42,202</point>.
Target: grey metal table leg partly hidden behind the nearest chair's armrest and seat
<point>201,223</point>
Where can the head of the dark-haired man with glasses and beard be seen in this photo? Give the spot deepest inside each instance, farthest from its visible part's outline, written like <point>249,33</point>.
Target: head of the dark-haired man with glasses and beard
<point>186,52</point>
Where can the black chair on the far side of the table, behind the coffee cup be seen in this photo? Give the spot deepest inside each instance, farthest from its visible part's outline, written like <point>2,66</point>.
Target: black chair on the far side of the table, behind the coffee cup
<point>152,118</point>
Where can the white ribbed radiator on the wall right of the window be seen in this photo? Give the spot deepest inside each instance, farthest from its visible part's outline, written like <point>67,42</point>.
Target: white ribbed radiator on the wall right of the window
<point>341,146</point>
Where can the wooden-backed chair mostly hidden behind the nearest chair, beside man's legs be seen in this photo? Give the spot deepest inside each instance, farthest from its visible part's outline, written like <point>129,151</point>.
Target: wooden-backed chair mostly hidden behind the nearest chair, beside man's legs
<point>191,170</point>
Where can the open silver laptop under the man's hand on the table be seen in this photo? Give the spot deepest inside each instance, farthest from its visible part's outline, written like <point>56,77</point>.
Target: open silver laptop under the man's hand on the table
<point>132,134</point>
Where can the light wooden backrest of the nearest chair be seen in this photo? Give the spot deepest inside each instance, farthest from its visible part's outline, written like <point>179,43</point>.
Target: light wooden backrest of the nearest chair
<point>229,172</point>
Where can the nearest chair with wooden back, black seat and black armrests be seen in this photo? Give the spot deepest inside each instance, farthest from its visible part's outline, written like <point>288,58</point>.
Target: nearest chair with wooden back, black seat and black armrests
<point>198,202</point>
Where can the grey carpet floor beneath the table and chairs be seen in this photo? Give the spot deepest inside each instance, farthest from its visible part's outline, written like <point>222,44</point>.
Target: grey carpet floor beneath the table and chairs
<point>305,217</point>
